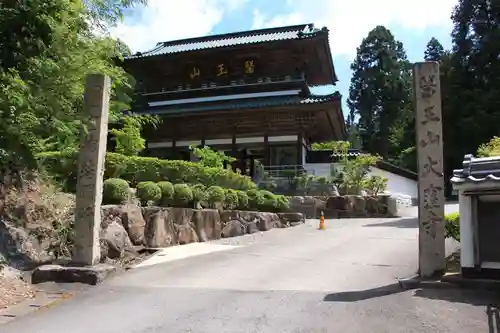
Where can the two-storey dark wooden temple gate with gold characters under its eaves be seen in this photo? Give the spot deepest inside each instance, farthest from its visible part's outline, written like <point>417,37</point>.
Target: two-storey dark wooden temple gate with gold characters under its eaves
<point>245,93</point>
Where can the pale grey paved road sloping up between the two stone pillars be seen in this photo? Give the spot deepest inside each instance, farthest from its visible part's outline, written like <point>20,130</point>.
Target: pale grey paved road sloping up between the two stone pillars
<point>292,280</point>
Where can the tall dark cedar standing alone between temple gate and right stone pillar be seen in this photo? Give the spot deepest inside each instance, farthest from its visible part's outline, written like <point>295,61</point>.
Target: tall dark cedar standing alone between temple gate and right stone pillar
<point>380,92</point>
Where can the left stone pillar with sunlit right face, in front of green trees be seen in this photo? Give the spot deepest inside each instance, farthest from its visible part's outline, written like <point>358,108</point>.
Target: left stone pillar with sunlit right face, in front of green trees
<point>91,169</point>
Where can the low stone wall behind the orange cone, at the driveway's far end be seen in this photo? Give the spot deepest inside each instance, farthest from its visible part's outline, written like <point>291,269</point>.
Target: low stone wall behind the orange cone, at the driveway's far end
<point>349,206</point>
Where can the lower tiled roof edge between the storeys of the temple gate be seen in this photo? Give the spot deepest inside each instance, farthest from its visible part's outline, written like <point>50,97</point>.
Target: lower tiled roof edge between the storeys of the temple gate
<point>249,103</point>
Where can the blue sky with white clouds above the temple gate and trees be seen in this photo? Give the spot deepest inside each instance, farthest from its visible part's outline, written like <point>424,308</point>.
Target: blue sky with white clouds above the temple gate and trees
<point>413,22</point>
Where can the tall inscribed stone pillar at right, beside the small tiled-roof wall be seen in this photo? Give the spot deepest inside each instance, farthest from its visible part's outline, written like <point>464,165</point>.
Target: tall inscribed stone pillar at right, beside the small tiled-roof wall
<point>430,168</point>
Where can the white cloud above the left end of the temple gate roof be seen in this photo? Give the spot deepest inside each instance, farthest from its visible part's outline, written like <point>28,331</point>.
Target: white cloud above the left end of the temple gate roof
<point>164,20</point>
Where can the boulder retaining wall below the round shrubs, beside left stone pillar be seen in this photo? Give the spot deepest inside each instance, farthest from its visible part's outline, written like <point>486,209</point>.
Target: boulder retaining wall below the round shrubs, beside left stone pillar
<point>124,227</point>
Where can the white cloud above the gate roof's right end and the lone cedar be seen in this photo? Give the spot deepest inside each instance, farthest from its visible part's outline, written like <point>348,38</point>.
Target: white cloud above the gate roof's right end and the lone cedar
<point>349,21</point>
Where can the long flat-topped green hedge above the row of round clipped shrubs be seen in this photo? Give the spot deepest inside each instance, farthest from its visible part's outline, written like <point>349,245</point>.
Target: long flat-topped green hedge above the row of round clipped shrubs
<point>134,169</point>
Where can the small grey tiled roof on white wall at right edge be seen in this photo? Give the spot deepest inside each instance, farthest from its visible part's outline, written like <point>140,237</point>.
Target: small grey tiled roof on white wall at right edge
<point>477,170</point>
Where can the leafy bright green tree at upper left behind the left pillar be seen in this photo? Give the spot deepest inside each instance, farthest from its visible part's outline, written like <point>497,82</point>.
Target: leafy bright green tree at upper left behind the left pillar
<point>47,48</point>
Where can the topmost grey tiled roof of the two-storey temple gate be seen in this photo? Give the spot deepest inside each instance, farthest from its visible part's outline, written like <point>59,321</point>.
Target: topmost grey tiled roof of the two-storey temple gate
<point>246,37</point>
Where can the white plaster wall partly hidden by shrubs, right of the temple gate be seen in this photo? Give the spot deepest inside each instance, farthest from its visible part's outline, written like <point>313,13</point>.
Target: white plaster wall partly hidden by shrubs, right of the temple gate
<point>396,185</point>
